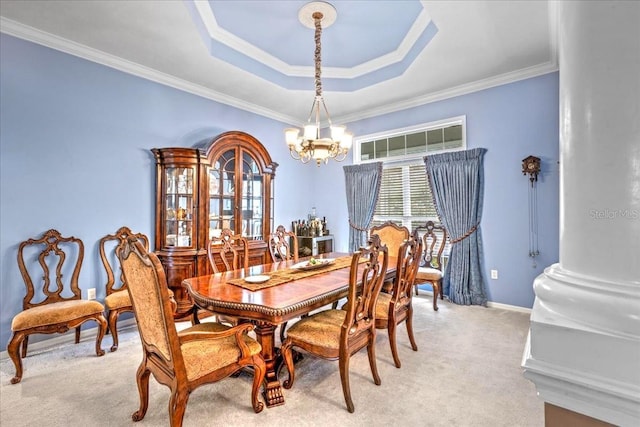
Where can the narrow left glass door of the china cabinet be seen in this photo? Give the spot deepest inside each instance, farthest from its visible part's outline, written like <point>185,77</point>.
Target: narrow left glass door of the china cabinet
<point>179,209</point>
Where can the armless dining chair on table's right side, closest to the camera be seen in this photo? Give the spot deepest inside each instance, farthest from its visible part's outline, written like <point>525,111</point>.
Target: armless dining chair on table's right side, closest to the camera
<point>337,334</point>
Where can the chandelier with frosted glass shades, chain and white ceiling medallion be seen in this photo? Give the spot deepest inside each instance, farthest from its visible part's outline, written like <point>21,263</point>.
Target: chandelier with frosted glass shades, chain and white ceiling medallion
<point>311,145</point>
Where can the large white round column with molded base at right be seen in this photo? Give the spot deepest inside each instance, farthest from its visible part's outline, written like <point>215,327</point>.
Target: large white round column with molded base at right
<point>583,351</point>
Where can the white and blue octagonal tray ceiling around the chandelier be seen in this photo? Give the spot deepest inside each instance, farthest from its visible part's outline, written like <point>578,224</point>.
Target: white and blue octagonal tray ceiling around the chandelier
<point>377,57</point>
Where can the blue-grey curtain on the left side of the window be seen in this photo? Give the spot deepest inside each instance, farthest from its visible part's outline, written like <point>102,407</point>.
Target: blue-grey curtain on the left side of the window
<point>363,186</point>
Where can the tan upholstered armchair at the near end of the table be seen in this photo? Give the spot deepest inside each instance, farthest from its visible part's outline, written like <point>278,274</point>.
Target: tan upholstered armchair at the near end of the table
<point>183,361</point>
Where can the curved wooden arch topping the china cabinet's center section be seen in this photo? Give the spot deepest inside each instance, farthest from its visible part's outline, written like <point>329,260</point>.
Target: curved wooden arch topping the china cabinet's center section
<point>243,140</point>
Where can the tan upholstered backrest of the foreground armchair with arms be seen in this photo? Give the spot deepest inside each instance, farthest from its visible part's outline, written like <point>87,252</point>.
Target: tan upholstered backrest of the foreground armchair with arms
<point>152,305</point>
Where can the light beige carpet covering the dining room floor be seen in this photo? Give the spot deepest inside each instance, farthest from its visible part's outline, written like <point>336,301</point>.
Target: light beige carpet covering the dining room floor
<point>466,372</point>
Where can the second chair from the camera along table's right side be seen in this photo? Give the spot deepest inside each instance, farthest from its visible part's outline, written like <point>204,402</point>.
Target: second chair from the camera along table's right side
<point>396,307</point>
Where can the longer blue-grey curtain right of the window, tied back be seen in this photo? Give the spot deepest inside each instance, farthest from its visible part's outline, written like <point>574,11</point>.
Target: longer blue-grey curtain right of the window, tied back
<point>457,183</point>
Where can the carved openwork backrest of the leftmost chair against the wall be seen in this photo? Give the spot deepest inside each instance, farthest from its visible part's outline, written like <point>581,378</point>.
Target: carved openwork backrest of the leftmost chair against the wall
<point>50,267</point>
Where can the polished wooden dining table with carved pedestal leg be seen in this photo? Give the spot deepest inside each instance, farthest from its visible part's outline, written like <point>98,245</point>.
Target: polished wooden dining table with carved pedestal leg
<point>300,292</point>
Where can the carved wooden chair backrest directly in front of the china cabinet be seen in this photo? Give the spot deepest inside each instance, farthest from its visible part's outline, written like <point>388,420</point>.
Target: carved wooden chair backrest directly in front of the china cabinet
<point>228,252</point>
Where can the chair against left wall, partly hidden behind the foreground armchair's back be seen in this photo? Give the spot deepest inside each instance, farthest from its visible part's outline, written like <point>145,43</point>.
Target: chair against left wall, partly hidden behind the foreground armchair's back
<point>117,298</point>
